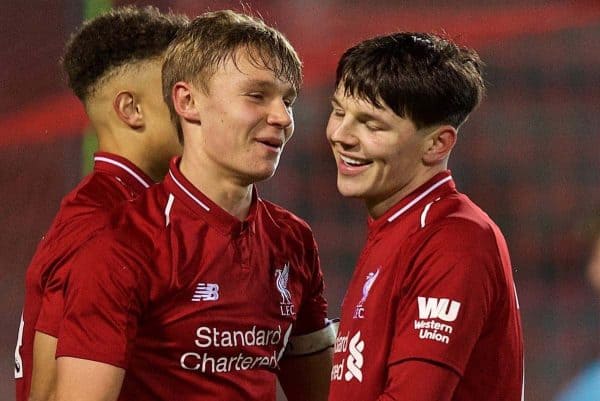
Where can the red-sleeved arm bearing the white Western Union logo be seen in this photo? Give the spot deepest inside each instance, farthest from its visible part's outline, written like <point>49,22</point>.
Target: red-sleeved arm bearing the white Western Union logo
<point>445,272</point>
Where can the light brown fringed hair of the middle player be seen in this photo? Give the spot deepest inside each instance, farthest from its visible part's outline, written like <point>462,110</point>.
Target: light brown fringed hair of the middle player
<point>215,37</point>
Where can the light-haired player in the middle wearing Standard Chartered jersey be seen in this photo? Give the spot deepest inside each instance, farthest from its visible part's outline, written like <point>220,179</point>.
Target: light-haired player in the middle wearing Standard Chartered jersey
<point>203,290</point>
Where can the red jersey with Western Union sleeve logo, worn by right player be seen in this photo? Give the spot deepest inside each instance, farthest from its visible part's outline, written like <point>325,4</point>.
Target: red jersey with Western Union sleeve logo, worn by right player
<point>433,283</point>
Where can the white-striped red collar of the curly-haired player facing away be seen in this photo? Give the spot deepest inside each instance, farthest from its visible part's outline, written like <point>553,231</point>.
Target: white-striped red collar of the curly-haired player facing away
<point>123,169</point>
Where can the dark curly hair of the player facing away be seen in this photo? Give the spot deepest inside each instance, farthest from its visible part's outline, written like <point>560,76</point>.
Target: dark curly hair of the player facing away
<point>119,37</point>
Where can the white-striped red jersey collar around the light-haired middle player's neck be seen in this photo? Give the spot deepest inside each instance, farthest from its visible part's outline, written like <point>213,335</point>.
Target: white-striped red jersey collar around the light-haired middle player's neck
<point>201,205</point>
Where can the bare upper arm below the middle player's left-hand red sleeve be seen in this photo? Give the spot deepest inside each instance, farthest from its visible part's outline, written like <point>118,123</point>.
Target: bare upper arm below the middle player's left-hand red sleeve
<point>82,379</point>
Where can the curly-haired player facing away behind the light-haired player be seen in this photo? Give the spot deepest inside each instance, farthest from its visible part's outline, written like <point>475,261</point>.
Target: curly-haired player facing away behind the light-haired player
<point>113,65</point>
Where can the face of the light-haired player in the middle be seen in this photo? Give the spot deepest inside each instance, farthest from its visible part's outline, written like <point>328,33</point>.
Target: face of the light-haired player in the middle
<point>246,127</point>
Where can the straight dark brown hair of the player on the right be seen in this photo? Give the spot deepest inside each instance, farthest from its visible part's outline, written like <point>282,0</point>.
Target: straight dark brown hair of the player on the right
<point>420,76</point>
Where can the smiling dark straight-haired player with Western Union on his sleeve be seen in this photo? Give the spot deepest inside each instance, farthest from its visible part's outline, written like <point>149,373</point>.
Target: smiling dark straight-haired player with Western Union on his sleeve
<point>431,311</point>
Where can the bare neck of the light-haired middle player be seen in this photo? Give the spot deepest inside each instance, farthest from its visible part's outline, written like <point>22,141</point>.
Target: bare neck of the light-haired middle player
<point>232,196</point>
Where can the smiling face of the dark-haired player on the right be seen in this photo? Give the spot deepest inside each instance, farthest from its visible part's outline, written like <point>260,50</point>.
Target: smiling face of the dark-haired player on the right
<point>378,154</point>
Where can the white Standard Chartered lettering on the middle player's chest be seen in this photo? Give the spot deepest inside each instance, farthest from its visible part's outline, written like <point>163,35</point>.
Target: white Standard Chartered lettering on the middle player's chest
<point>210,361</point>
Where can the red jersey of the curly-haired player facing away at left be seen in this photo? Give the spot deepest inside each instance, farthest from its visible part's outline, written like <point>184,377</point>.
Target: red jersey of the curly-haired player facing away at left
<point>83,212</point>
